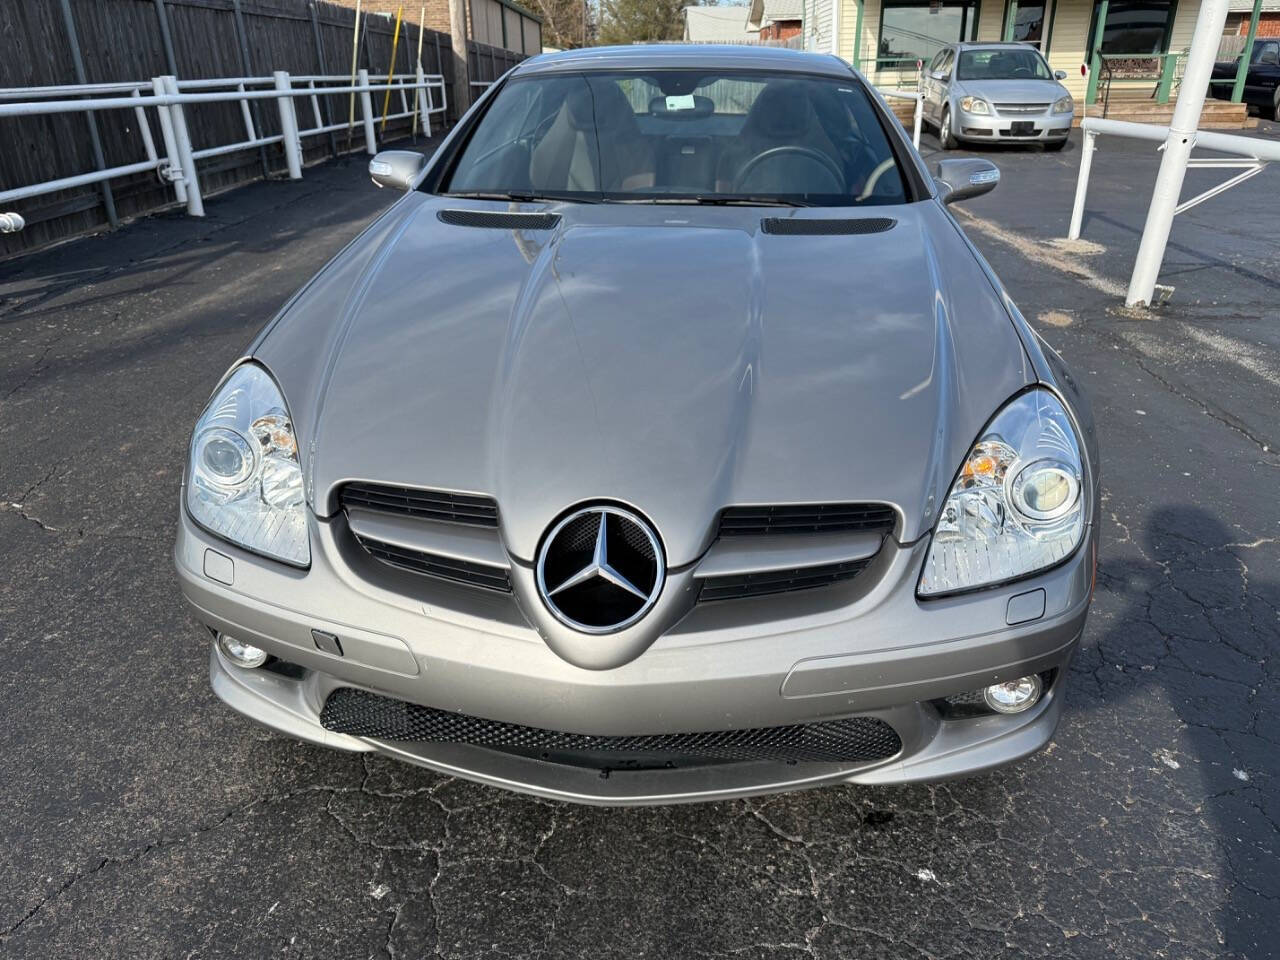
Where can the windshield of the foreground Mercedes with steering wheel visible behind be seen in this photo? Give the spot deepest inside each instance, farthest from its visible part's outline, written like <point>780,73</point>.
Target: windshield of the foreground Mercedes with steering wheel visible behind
<point>682,138</point>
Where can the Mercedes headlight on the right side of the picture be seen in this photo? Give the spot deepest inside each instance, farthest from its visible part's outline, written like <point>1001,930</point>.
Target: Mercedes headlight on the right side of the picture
<point>1018,505</point>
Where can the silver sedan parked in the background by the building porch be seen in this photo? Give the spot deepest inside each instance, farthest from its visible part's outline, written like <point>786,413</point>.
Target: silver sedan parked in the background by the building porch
<point>996,93</point>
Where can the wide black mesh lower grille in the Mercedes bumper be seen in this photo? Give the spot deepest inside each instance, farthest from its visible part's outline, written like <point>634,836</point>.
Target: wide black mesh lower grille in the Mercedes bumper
<point>852,740</point>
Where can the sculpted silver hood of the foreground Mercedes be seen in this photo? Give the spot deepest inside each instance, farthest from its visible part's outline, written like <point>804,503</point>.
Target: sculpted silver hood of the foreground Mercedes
<point>674,359</point>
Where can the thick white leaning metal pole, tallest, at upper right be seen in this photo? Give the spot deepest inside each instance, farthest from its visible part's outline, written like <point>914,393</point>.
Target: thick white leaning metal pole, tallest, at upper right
<point>1178,149</point>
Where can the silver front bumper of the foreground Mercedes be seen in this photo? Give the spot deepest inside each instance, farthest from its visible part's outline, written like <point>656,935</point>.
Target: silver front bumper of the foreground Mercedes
<point>742,665</point>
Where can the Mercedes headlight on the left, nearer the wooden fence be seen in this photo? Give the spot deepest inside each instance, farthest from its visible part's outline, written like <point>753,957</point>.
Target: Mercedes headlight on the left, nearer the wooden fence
<point>244,481</point>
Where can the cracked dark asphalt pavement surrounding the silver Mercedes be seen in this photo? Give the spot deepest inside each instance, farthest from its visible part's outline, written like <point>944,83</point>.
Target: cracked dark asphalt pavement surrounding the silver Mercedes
<point>144,820</point>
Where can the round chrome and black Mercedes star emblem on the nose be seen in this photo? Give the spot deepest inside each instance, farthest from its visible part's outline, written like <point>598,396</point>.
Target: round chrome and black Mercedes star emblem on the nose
<point>601,570</point>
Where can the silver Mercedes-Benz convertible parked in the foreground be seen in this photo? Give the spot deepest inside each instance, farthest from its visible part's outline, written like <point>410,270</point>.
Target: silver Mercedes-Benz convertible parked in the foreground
<point>666,441</point>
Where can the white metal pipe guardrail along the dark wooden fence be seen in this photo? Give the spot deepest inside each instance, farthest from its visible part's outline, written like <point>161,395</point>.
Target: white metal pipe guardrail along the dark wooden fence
<point>179,166</point>
